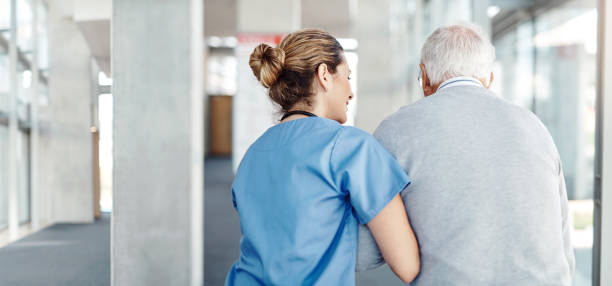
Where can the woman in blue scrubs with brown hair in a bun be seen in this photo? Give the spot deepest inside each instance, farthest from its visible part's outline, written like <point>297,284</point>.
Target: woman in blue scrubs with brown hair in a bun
<point>303,187</point>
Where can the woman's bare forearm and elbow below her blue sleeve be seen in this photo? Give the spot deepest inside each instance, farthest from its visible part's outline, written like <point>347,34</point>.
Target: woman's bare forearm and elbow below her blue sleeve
<point>396,240</point>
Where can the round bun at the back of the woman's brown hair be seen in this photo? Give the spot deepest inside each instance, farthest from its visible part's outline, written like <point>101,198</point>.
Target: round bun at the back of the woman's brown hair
<point>267,63</point>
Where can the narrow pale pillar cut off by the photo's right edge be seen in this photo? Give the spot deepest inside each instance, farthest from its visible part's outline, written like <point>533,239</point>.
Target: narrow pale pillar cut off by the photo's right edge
<point>602,246</point>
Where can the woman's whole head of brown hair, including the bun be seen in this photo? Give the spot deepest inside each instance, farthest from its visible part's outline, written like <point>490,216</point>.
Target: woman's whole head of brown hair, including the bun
<point>288,70</point>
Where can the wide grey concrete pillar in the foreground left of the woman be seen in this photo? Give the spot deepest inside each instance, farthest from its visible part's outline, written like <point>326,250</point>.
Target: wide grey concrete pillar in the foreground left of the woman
<point>157,219</point>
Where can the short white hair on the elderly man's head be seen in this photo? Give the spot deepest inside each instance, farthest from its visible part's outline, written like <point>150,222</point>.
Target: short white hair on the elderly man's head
<point>458,50</point>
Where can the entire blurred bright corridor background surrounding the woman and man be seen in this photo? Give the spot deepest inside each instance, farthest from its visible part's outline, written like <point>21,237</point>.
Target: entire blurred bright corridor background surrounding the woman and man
<point>133,116</point>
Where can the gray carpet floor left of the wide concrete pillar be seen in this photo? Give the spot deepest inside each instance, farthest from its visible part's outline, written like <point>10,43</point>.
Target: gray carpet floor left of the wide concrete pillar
<point>62,254</point>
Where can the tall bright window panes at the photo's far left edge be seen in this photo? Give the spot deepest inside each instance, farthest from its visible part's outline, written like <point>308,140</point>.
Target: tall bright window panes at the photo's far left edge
<point>25,39</point>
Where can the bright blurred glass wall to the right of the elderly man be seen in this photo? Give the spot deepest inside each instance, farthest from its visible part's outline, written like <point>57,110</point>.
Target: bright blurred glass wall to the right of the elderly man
<point>548,64</point>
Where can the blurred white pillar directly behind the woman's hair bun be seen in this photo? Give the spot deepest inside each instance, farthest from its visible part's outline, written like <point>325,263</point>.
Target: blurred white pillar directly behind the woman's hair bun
<point>258,21</point>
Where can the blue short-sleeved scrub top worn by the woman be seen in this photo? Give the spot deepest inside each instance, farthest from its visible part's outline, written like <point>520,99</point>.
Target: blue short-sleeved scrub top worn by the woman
<point>301,190</point>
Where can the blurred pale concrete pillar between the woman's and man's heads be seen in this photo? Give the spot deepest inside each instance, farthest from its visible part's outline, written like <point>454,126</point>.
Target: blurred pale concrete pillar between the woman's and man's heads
<point>384,57</point>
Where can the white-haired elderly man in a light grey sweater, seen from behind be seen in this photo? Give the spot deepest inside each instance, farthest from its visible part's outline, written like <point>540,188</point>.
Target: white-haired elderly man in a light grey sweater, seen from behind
<point>488,201</point>
